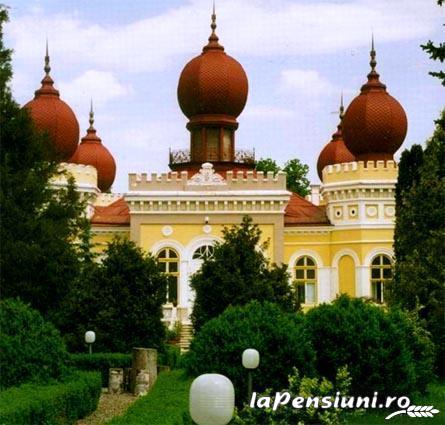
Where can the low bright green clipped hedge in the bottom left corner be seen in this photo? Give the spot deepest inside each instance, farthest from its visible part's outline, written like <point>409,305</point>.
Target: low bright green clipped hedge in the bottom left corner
<point>59,404</point>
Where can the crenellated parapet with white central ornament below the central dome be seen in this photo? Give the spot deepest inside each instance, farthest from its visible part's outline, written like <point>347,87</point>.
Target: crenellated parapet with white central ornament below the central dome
<point>207,179</point>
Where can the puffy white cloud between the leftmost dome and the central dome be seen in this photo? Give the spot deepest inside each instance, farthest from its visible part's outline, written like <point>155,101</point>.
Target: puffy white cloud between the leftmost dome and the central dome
<point>101,86</point>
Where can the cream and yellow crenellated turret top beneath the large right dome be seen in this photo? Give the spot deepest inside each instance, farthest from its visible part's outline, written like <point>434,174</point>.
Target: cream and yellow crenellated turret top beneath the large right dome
<point>360,194</point>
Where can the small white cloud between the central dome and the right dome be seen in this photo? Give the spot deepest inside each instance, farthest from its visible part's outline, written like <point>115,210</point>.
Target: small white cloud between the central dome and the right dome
<point>307,83</point>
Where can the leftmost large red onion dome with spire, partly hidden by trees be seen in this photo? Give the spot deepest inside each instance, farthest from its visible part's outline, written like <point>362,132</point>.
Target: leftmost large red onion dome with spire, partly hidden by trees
<point>52,115</point>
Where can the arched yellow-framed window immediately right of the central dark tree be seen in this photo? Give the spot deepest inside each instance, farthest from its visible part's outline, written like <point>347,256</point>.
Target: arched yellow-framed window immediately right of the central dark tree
<point>306,280</point>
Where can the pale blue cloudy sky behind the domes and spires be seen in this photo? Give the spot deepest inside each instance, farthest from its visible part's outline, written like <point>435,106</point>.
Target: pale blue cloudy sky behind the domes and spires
<point>299,55</point>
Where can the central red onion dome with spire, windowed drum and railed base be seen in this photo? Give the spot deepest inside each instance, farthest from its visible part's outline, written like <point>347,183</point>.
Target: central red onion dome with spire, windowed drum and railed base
<point>212,92</point>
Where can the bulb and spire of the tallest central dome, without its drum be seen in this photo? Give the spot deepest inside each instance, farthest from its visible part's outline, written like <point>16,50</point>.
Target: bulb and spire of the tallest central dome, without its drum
<point>213,83</point>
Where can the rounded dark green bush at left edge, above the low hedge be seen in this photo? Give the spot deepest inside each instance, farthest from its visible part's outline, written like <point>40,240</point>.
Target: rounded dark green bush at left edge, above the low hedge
<point>32,348</point>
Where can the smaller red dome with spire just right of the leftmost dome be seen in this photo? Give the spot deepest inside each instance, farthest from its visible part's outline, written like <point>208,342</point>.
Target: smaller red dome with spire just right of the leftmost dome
<point>91,151</point>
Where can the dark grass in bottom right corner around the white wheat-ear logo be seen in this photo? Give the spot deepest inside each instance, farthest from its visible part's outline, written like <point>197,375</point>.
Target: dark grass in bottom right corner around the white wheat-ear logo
<point>435,397</point>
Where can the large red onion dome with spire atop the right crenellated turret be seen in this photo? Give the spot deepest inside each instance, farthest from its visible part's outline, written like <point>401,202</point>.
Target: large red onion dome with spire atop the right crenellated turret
<point>375,124</point>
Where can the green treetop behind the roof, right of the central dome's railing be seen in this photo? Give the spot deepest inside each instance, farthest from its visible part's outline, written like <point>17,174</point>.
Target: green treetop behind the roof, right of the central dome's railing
<point>296,173</point>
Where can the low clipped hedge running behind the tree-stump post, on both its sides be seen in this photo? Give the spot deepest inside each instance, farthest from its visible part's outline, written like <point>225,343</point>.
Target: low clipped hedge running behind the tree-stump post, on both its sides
<point>102,362</point>
